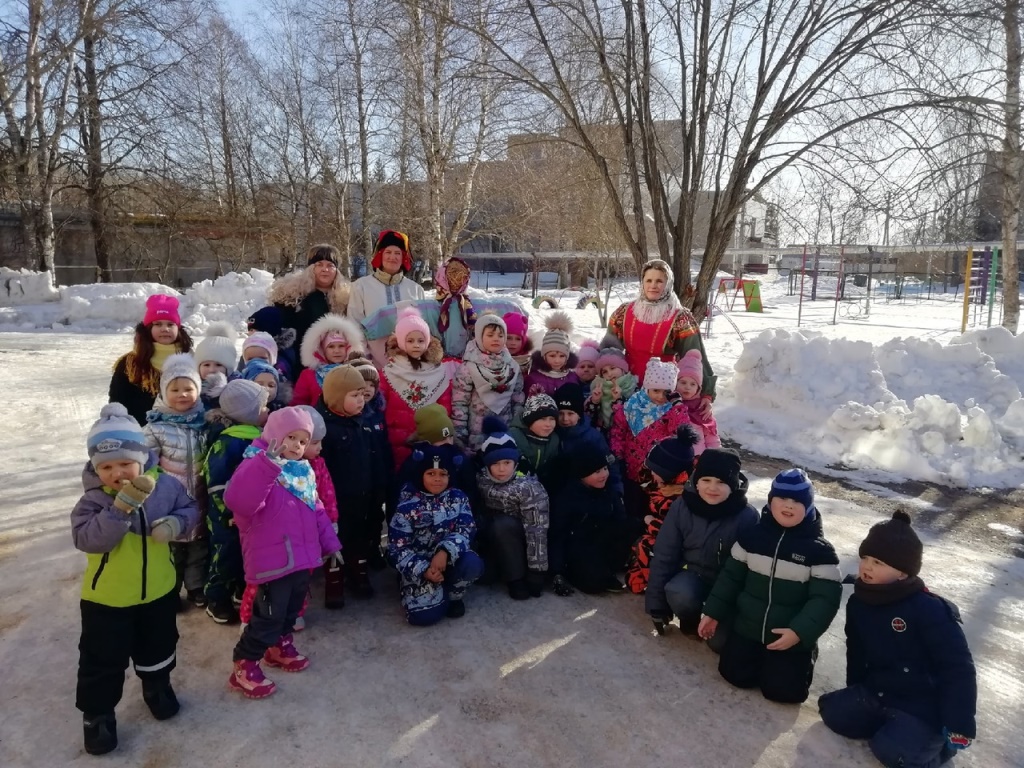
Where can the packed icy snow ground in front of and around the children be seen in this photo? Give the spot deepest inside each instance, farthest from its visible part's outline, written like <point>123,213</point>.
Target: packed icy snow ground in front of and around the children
<point>559,682</point>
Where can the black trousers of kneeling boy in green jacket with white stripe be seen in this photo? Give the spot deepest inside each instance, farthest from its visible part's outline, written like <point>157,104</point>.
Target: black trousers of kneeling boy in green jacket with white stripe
<point>784,676</point>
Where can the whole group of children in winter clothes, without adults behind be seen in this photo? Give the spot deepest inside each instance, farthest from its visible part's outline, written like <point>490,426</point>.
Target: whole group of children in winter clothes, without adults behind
<point>548,470</point>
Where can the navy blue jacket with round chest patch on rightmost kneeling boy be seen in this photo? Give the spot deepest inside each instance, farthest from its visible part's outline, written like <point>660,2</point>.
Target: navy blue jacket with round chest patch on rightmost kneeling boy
<point>913,654</point>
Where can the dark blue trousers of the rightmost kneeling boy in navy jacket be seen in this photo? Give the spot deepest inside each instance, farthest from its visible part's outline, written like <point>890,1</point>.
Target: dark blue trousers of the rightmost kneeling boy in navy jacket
<point>895,738</point>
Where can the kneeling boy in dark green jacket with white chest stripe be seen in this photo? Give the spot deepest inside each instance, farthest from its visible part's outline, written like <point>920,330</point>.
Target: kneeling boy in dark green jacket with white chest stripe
<point>781,590</point>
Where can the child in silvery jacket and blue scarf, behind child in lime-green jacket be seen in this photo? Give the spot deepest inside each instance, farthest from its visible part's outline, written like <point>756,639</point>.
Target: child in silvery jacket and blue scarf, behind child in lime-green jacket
<point>177,431</point>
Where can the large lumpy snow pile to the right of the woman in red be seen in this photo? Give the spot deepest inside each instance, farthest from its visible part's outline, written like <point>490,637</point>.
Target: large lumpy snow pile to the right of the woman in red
<point>910,409</point>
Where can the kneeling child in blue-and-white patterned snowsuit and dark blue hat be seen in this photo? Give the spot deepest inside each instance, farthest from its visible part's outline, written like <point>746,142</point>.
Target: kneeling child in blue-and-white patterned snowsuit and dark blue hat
<point>430,539</point>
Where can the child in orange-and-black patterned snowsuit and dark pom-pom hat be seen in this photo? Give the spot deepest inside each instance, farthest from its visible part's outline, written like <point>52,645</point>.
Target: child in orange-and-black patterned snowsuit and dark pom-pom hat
<point>669,466</point>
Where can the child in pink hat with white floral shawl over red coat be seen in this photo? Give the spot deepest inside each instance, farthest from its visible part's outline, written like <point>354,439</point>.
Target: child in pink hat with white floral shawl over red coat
<point>415,376</point>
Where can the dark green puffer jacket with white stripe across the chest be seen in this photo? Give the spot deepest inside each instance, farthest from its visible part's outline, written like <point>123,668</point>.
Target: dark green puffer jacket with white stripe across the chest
<point>778,578</point>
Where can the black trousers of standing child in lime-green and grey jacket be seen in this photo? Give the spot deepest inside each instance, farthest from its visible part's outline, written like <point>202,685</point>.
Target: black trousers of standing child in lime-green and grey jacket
<point>147,635</point>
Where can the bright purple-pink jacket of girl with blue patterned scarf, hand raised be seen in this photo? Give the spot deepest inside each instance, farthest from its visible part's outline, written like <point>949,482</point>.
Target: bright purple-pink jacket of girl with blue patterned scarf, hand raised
<point>280,534</point>
